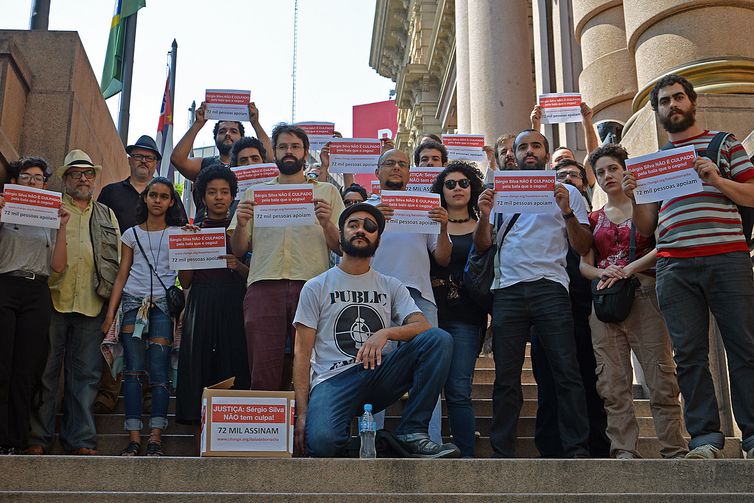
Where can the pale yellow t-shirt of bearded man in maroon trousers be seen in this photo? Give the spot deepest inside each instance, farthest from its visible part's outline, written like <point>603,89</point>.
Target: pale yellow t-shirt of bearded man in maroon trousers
<point>296,253</point>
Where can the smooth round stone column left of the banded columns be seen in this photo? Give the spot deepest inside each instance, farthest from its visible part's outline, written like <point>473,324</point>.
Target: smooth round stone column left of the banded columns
<point>500,68</point>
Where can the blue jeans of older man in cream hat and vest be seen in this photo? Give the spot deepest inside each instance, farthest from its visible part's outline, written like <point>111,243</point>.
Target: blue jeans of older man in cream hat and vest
<point>74,346</point>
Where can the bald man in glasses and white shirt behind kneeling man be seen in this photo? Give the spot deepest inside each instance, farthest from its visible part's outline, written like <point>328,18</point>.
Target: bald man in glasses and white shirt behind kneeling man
<point>406,255</point>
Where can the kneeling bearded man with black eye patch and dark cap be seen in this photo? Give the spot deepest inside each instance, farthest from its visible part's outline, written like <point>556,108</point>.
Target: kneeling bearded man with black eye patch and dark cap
<point>344,320</point>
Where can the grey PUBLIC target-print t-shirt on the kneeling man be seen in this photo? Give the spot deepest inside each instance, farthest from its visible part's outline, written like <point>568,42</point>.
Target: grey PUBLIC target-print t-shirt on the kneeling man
<point>346,310</point>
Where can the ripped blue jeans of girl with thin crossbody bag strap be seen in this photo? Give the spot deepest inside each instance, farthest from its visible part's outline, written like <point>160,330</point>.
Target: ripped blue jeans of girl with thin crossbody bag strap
<point>147,361</point>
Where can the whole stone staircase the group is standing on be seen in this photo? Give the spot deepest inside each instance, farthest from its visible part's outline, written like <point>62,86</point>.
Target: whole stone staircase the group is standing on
<point>183,478</point>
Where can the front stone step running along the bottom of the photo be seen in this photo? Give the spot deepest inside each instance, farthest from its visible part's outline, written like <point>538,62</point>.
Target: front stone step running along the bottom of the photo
<point>401,476</point>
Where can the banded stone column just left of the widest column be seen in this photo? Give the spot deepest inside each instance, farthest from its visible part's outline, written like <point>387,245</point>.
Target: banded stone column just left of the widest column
<point>608,80</point>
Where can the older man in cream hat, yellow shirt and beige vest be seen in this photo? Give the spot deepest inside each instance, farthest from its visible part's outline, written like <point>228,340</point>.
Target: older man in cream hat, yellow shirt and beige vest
<point>78,295</point>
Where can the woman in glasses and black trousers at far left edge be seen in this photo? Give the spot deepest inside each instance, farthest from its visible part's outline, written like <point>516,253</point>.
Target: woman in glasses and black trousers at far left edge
<point>27,255</point>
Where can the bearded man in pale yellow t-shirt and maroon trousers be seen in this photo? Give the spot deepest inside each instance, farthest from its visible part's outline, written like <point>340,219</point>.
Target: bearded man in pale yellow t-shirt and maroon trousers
<point>283,259</point>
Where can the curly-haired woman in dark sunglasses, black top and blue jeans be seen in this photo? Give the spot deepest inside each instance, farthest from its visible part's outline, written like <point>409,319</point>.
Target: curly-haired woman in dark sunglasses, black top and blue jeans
<point>459,186</point>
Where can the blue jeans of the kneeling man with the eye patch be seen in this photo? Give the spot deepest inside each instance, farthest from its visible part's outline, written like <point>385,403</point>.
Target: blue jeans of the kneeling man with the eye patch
<point>419,366</point>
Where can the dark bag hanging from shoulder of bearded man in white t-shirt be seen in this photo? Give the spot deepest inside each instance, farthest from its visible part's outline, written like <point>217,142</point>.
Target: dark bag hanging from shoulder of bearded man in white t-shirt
<point>480,269</point>
